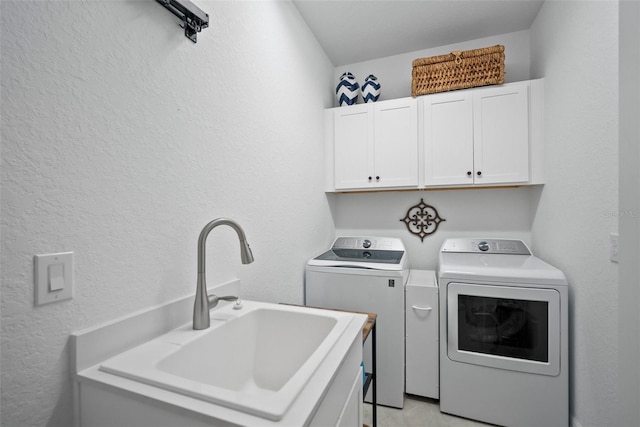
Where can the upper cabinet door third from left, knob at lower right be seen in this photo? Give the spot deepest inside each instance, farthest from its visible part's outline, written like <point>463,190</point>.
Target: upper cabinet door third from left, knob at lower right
<point>448,138</point>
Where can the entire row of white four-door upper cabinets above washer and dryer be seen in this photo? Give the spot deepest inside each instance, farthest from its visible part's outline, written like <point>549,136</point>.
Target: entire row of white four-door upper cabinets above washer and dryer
<point>489,136</point>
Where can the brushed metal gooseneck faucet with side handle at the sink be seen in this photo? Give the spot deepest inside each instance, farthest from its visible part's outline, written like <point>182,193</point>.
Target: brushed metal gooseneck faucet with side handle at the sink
<point>205,302</point>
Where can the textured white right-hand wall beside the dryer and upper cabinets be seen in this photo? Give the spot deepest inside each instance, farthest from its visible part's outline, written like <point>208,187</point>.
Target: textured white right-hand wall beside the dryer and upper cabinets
<point>575,47</point>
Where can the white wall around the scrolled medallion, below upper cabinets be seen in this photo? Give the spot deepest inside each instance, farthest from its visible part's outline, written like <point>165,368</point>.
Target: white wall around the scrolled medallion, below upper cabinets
<point>467,213</point>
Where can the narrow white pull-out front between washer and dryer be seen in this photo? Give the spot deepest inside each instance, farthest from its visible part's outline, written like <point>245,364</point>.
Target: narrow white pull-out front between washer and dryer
<point>422,359</point>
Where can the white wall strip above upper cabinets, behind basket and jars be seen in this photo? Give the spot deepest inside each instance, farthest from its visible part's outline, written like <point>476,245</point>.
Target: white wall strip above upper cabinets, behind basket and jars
<point>394,72</point>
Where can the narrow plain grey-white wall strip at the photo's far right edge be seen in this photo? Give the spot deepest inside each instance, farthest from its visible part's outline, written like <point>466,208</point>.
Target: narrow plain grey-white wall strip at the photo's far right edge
<point>629,216</point>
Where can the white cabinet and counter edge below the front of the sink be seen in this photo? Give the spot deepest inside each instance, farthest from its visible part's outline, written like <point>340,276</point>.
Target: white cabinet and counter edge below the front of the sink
<point>104,403</point>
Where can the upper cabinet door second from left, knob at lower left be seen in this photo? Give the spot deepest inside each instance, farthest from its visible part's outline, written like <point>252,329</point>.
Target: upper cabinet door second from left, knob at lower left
<point>396,143</point>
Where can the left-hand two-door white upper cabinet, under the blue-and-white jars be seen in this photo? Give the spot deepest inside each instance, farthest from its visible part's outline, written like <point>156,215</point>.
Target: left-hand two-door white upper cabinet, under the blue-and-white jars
<point>375,145</point>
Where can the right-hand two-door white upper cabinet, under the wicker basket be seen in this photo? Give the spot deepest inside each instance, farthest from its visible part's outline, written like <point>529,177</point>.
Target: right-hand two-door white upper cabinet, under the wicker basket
<point>477,136</point>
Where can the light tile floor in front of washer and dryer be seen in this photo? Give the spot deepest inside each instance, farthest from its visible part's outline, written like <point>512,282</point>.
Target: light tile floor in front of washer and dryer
<point>417,412</point>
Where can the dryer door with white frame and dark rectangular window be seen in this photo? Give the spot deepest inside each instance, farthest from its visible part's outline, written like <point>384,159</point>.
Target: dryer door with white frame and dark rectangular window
<point>505,327</point>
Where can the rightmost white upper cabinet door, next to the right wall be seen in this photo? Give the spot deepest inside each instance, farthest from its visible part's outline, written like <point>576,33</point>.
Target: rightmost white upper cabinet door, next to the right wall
<point>501,134</point>
